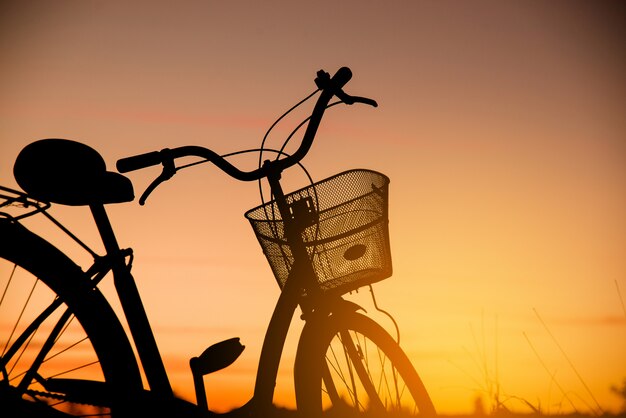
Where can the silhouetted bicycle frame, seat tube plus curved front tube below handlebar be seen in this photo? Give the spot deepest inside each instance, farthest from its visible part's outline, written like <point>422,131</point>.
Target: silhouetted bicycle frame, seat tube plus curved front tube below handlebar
<point>302,275</point>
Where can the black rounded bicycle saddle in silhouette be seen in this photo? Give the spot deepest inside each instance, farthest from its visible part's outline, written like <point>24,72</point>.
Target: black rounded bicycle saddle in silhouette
<point>70,173</point>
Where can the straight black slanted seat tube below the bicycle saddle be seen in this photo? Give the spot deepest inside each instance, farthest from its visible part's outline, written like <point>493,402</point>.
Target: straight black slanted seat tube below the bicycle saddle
<point>133,307</point>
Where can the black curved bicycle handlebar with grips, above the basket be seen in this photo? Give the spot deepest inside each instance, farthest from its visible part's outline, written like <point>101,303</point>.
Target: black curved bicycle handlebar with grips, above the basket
<point>329,87</point>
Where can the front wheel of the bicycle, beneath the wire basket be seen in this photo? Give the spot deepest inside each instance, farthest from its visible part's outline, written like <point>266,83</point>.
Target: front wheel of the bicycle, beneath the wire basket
<point>328,349</point>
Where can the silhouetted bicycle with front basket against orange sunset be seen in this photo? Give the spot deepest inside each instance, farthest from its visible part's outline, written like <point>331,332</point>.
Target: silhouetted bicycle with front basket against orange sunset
<point>321,242</point>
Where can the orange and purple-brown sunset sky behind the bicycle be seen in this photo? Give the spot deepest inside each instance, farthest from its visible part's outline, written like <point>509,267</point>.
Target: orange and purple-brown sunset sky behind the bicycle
<point>501,125</point>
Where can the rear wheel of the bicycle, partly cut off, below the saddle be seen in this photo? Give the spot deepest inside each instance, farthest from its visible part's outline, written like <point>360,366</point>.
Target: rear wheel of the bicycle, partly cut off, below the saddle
<point>92,342</point>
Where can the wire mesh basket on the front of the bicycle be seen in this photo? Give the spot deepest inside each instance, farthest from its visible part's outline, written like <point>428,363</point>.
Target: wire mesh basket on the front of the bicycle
<point>346,233</point>
